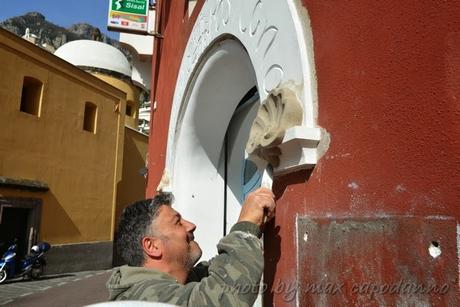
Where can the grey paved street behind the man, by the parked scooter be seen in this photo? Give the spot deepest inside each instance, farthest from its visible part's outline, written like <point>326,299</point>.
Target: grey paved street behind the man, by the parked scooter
<point>72,289</point>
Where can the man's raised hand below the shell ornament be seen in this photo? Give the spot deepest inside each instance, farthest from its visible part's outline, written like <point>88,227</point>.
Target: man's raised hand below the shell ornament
<point>258,205</point>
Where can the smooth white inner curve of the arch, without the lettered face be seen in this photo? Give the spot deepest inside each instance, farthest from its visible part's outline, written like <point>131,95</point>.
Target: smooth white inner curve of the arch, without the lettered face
<point>224,78</point>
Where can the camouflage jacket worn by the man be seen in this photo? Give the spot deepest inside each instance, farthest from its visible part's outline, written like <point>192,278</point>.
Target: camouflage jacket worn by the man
<point>230,279</point>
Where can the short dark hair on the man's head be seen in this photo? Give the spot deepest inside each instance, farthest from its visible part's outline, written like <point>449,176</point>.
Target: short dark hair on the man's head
<point>135,224</point>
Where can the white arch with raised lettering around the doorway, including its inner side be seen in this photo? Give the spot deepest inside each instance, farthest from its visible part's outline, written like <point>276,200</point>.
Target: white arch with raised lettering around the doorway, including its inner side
<point>233,46</point>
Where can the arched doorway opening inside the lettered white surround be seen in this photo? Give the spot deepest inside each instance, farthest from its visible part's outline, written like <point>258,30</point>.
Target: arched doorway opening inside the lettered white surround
<point>208,162</point>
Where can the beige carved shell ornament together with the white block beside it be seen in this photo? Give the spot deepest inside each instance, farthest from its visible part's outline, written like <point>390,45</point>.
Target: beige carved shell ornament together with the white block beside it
<point>278,137</point>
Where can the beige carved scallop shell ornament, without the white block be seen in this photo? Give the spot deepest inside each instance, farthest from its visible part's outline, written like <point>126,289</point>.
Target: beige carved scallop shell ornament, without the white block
<point>279,112</point>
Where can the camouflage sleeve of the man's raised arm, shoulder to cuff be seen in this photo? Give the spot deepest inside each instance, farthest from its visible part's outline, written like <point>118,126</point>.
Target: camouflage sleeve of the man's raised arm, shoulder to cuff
<point>233,277</point>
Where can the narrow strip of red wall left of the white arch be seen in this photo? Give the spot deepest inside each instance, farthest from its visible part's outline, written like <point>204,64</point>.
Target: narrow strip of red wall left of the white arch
<point>173,23</point>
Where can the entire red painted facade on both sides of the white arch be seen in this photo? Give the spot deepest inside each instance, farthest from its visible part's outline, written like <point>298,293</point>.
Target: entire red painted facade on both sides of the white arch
<point>388,83</point>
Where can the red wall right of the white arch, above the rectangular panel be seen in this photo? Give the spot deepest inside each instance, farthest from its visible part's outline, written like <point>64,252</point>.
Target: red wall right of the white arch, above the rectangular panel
<point>388,76</point>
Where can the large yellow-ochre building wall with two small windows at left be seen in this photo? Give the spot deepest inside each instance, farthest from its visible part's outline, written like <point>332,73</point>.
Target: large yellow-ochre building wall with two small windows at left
<point>81,169</point>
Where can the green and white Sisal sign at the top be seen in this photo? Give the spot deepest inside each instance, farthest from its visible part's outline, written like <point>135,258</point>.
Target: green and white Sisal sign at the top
<point>128,15</point>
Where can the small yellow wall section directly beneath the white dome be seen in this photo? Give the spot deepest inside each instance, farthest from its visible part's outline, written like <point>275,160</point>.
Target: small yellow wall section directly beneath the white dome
<point>132,97</point>
